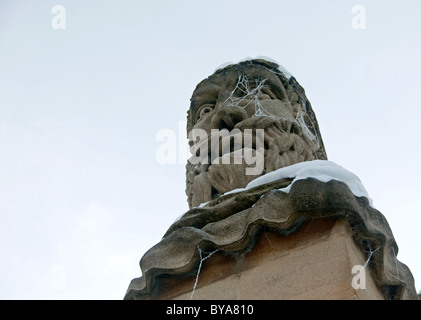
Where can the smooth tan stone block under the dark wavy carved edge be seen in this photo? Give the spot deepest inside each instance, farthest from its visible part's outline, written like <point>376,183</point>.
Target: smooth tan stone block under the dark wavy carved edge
<point>314,263</point>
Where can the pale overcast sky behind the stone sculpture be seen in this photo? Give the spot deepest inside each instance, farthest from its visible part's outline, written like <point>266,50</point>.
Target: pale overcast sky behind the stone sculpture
<point>82,196</point>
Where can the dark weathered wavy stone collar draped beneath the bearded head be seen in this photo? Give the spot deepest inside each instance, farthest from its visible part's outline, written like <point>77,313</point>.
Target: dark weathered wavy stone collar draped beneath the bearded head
<point>242,216</point>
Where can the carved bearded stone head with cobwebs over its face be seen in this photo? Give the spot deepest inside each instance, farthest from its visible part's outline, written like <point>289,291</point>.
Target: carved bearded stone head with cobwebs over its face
<point>253,95</point>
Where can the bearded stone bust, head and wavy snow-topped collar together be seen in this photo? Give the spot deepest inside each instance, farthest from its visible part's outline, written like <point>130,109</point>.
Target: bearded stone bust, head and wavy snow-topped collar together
<point>248,120</point>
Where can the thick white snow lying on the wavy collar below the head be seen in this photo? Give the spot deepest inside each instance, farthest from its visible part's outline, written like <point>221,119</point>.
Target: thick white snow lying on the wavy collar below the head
<point>322,170</point>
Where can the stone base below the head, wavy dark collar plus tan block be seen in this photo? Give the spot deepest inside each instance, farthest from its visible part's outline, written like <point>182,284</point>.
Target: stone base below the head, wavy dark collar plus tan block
<point>320,231</point>
